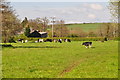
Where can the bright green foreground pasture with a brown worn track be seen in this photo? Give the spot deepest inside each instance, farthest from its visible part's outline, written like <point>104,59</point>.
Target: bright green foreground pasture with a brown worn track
<point>61,60</point>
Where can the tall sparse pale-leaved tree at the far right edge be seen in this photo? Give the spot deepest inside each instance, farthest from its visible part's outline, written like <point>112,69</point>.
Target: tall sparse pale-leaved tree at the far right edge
<point>114,10</point>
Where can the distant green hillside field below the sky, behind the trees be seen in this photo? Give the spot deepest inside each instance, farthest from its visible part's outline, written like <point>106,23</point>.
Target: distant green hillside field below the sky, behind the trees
<point>85,27</point>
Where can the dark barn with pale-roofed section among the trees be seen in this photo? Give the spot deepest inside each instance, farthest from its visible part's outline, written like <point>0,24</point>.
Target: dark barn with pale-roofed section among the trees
<point>38,34</point>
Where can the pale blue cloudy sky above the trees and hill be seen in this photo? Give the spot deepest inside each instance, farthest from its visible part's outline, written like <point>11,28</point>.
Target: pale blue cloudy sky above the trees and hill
<point>70,12</point>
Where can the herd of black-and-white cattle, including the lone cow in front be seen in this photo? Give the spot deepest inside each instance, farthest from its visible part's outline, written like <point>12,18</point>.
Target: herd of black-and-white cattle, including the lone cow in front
<point>86,44</point>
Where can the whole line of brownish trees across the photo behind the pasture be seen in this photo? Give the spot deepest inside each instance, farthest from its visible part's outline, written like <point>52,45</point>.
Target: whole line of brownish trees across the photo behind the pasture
<point>12,26</point>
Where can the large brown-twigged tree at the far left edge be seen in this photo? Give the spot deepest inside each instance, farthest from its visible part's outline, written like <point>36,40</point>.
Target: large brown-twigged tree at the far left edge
<point>10,22</point>
